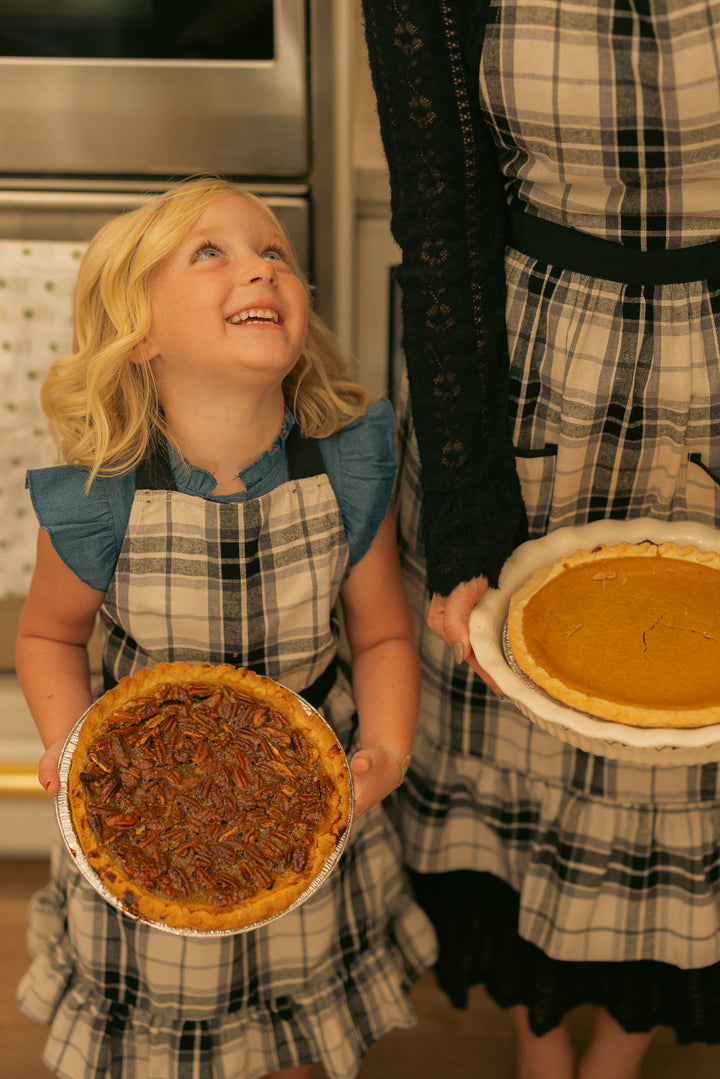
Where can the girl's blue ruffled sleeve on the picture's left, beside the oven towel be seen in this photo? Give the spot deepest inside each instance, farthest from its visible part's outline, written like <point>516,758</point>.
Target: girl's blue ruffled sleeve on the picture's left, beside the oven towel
<point>87,529</point>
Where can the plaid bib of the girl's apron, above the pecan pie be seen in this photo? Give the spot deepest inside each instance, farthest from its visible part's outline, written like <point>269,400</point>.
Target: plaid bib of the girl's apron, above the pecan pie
<point>243,591</point>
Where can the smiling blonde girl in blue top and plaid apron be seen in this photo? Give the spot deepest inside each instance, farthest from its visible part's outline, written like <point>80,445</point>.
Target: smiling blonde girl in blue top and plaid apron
<point>225,485</point>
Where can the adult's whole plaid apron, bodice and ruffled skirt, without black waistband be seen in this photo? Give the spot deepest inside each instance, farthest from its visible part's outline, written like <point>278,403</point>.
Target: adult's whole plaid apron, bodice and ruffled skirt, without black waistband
<point>616,407</point>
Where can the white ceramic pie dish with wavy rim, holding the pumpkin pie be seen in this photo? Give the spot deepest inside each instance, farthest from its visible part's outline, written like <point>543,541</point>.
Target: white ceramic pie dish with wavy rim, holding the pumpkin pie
<point>617,741</point>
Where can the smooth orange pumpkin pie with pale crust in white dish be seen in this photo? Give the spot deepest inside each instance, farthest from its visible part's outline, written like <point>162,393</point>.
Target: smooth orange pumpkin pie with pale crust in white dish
<point>630,634</point>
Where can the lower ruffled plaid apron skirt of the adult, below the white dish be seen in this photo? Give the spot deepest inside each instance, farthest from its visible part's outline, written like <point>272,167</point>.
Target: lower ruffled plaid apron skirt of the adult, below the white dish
<point>612,862</point>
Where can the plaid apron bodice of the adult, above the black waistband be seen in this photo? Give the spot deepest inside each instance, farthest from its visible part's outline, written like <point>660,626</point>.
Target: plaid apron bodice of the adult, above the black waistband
<point>583,141</point>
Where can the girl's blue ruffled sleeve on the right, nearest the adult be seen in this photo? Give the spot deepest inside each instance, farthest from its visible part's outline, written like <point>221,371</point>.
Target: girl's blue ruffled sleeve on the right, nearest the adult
<point>361,466</point>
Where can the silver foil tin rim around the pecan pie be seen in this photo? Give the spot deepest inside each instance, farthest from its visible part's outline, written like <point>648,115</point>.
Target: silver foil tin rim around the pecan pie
<point>64,815</point>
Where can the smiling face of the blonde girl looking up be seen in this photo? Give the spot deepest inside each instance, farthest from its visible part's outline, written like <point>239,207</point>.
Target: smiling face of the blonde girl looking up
<point>227,302</point>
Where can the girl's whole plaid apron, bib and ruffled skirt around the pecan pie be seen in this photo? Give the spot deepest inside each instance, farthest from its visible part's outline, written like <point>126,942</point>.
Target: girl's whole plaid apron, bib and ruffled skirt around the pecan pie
<point>321,985</point>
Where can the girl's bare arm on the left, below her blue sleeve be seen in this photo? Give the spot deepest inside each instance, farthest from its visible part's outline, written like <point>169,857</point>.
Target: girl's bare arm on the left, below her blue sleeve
<point>51,658</point>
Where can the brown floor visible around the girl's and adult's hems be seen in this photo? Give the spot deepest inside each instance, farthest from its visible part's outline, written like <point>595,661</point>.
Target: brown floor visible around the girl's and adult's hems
<point>477,1044</point>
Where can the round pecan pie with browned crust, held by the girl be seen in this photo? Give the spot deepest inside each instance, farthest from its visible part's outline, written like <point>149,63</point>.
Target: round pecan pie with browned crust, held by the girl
<point>207,798</point>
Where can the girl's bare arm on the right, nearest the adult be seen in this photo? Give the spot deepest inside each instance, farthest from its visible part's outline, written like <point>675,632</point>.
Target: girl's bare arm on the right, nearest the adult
<point>386,670</point>
